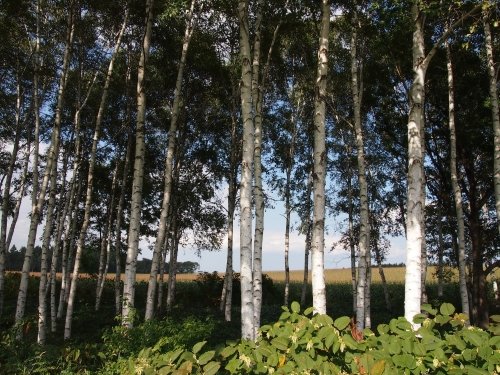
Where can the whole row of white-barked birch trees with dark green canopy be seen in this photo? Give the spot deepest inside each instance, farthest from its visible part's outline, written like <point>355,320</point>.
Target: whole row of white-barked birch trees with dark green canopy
<point>125,120</point>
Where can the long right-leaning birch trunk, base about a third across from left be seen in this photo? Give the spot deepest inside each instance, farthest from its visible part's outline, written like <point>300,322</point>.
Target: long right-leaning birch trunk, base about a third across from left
<point>167,188</point>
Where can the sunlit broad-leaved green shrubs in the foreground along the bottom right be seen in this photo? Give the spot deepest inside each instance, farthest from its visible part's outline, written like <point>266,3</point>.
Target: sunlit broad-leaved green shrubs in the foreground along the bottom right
<point>312,344</point>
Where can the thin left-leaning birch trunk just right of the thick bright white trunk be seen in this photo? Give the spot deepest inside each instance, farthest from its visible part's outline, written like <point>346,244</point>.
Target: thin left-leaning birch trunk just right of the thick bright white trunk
<point>457,193</point>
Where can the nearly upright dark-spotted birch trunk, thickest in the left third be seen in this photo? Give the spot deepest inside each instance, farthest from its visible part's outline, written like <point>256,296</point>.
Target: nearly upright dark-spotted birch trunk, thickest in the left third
<point>136,204</point>
